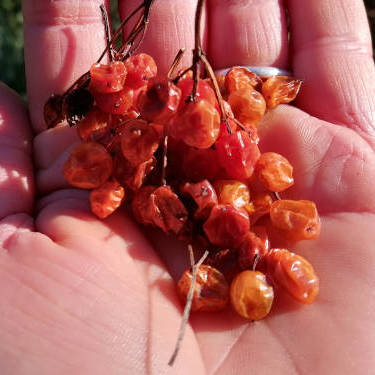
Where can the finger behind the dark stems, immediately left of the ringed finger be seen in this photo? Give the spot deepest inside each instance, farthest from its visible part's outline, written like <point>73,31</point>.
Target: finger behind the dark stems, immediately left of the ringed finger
<point>171,27</point>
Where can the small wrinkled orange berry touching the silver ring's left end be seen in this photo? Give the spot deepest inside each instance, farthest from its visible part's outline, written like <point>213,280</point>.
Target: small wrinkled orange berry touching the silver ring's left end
<point>239,78</point>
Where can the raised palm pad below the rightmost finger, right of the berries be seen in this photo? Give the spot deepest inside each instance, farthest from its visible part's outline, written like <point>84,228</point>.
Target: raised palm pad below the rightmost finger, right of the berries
<point>332,165</point>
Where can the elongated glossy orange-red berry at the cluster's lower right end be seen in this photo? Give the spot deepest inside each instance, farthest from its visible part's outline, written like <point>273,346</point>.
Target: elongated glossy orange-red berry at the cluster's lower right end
<point>294,274</point>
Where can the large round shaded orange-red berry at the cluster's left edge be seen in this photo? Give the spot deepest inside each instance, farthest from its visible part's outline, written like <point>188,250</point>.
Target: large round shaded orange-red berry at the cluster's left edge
<point>89,166</point>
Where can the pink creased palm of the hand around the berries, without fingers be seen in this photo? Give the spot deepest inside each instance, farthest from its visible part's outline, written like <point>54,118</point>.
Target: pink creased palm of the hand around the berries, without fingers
<point>93,296</point>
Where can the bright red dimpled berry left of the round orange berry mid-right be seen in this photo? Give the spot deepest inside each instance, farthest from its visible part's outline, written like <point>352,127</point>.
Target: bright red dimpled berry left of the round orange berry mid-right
<point>237,154</point>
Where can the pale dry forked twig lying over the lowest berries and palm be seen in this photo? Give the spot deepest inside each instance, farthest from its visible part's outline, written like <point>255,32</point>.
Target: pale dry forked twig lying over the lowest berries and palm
<point>189,300</point>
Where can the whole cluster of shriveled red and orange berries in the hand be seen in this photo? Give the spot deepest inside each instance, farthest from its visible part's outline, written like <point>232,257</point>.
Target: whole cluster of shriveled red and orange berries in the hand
<point>185,158</point>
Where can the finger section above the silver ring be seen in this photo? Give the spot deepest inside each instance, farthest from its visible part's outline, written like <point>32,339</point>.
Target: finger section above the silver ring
<point>248,32</point>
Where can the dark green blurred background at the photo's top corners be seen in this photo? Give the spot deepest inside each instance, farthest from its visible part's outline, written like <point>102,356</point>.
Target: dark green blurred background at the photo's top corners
<point>11,42</point>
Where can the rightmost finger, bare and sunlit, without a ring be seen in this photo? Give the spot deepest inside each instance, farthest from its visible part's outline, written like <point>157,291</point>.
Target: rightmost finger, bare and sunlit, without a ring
<point>333,54</point>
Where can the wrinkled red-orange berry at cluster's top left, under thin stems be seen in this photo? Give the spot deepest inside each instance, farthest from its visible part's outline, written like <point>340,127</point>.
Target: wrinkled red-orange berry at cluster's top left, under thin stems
<point>108,78</point>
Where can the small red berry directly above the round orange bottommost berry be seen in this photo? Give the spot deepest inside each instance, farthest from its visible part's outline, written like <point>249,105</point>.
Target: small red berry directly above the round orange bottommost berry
<point>252,247</point>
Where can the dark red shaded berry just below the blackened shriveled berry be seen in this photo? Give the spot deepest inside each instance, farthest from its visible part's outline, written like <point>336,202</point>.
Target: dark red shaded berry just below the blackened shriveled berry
<point>93,125</point>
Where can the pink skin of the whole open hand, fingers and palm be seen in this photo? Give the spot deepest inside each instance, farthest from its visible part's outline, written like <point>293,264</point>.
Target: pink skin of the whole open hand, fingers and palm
<point>79,295</point>
